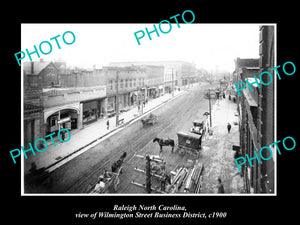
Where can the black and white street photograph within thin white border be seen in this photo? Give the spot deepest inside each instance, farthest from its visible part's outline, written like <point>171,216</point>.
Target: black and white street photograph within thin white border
<point>107,110</point>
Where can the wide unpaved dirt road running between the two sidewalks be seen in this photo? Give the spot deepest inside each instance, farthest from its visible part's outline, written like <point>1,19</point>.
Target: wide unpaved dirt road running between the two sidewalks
<point>76,175</point>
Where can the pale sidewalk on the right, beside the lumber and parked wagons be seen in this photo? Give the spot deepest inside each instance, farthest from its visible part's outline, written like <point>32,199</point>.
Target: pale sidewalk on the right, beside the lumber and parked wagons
<point>218,156</point>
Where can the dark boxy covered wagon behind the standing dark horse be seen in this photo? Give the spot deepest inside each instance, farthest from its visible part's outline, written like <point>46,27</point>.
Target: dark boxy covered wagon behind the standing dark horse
<point>189,143</point>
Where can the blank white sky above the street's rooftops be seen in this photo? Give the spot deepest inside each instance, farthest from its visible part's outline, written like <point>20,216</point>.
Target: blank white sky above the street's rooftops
<point>209,46</point>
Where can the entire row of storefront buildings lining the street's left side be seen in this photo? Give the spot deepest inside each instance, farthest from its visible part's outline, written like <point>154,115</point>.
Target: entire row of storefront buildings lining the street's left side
<point>56,96</point>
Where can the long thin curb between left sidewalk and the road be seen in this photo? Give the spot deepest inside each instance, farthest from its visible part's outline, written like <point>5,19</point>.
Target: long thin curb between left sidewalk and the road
<point>115,129</point>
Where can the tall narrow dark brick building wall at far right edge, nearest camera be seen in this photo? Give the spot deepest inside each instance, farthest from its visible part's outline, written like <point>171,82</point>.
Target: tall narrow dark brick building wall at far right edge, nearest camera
<point>266,112</point>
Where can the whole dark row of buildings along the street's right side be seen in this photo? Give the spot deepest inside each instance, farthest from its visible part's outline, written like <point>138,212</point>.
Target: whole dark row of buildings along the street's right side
<point>256,109</point>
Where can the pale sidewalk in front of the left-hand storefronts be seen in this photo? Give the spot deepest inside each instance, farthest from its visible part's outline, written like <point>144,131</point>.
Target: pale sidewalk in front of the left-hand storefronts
<point>81,138</point>
